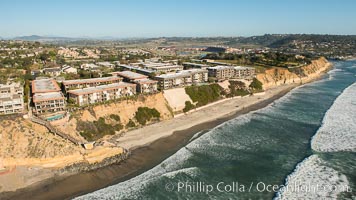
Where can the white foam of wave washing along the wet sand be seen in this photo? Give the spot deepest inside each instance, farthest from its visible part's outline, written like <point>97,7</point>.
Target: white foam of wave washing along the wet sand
<point>131,189</point>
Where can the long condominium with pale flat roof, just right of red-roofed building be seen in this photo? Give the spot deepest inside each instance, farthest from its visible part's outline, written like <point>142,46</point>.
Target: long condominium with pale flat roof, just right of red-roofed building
<point>90,95</point>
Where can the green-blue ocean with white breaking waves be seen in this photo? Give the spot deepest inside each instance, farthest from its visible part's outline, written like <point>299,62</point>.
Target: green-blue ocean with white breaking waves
<point>286,150</point>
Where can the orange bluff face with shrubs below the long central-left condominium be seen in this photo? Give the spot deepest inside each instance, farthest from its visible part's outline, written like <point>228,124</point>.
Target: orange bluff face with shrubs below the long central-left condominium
<point>124,110</point>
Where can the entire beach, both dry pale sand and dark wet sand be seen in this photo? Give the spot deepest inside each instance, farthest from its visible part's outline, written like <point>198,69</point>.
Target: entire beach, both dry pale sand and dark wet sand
<point>147,153</point>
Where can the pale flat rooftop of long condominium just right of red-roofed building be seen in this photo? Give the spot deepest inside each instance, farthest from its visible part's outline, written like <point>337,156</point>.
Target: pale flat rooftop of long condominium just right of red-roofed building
<point>101,88</point>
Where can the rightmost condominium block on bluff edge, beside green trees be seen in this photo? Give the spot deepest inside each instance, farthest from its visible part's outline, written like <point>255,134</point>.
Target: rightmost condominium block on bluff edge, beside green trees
<point>231,72</point>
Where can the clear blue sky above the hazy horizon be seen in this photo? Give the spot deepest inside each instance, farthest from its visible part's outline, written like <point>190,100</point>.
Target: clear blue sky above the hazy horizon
<point>167,18</point>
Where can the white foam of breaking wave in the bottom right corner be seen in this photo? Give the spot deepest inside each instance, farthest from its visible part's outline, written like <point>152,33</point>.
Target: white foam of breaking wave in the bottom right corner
<point>311,179</point>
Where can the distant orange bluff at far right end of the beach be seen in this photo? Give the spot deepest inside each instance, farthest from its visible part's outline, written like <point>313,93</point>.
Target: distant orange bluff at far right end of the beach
<point>281,76</point>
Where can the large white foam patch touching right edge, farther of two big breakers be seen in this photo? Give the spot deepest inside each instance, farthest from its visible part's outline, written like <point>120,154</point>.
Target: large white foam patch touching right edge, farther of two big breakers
<point>338,130</point>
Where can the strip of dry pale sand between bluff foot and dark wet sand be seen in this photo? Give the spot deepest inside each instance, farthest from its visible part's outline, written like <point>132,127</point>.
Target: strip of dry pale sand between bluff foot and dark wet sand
<point>146,135</point>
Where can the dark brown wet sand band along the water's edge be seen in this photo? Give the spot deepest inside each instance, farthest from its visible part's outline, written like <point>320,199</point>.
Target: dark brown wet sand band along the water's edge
<point>141,160</point>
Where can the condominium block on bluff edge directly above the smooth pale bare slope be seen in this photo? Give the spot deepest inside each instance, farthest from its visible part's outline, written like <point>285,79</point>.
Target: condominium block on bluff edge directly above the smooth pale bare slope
<point>182,78</point>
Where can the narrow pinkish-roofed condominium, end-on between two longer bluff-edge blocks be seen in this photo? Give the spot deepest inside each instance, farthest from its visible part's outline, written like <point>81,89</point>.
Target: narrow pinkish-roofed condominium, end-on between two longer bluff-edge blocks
<point>143,83</point>
